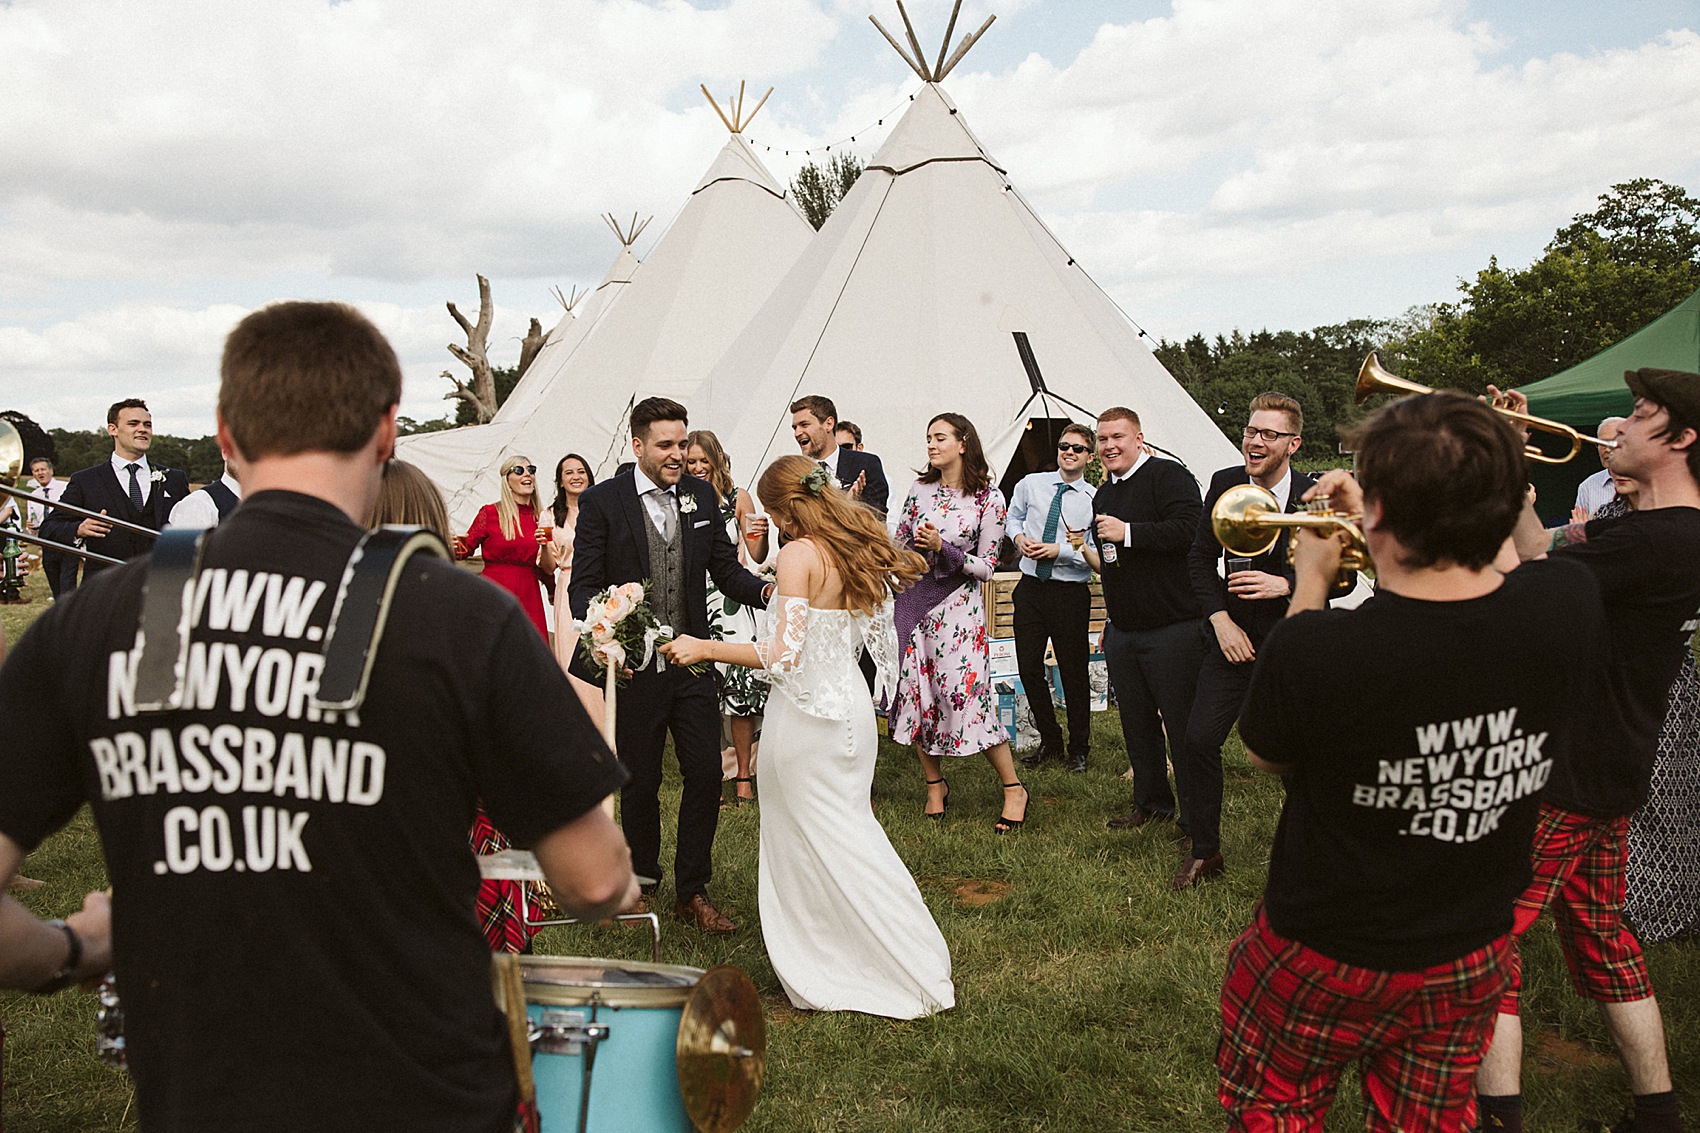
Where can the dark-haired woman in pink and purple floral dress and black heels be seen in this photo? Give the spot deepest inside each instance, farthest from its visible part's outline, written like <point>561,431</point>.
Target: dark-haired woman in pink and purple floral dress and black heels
<point>944,703</point>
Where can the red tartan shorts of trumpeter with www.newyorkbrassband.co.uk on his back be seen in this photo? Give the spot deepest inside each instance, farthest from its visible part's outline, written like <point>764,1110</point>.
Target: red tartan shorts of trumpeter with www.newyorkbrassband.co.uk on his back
<point>1293,1020</point>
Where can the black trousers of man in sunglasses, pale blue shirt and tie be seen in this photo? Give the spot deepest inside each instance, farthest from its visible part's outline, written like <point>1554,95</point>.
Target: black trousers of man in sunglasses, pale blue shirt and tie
<point>1058,613</point>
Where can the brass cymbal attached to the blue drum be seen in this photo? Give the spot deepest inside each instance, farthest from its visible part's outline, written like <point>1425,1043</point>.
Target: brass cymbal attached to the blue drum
<point>722,1050</point>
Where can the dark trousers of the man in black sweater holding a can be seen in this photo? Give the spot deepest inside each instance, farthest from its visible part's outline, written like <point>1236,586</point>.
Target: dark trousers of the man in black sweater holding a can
<point>1155,675</point>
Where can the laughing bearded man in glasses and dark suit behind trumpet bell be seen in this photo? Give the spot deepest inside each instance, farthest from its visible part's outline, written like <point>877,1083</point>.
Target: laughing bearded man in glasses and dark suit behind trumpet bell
<point>1242,603</point>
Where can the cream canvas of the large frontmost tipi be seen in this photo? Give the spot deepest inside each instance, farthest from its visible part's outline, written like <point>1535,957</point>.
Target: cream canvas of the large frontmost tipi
<point>909,304</point>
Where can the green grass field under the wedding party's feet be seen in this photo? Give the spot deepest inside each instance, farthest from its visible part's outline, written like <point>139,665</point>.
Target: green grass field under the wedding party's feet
<point>1087,991</point>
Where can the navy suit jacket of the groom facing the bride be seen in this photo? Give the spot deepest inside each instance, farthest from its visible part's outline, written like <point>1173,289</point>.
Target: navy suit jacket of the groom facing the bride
<point>611,545</point>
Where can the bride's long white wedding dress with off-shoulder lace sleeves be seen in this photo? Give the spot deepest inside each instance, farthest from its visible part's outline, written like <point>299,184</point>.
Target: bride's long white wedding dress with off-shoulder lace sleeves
<point>844,923</point>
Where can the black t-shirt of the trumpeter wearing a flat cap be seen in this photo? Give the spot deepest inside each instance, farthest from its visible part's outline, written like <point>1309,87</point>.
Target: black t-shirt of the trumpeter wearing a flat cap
<point>1648,567</point>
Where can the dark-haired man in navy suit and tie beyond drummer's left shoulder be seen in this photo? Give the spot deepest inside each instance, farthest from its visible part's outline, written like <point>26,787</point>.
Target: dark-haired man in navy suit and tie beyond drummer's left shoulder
<point>125,487</point>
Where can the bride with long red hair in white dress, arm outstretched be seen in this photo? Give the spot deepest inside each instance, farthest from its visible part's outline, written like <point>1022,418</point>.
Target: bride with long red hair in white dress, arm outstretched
<point>844,923</point>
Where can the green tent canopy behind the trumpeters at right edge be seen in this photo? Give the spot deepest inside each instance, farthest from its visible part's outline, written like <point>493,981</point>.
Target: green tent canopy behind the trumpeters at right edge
<point>1594,390</point>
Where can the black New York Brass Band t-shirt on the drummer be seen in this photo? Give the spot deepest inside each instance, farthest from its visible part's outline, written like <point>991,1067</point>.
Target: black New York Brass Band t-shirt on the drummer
<point>293,889</point>
